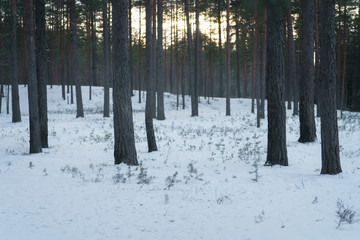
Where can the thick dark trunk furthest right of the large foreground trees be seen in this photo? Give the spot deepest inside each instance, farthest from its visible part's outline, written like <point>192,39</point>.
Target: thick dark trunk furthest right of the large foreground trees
<point>329,128</point>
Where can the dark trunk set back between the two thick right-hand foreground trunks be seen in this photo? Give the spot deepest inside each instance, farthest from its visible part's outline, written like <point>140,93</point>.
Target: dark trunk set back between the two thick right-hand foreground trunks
<point>306,113</point>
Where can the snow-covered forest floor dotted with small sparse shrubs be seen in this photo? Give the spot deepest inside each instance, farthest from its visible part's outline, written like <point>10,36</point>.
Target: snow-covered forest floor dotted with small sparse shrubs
<point>199,185</point>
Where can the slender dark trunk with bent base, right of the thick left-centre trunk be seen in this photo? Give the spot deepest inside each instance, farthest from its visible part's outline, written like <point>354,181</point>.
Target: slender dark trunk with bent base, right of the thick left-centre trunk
<point>150,79</point>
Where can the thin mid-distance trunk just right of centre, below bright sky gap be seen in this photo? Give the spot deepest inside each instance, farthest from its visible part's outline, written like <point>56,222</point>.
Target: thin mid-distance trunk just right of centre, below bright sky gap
<point>194,94</point>
